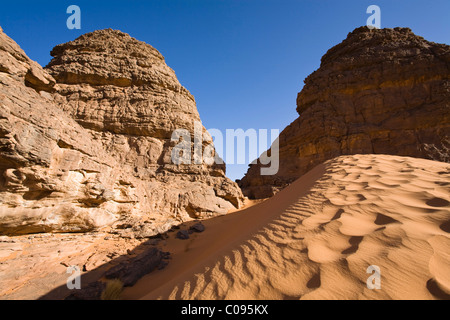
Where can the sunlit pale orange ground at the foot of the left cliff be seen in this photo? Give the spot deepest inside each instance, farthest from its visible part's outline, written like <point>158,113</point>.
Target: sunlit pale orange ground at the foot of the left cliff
<point>32,266</point>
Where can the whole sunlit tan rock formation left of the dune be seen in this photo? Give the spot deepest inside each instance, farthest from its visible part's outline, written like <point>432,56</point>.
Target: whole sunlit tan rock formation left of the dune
<point>86,142</point>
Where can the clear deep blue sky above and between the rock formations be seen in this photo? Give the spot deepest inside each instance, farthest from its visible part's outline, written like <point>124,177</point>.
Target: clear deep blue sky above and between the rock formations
<point>243,60</point>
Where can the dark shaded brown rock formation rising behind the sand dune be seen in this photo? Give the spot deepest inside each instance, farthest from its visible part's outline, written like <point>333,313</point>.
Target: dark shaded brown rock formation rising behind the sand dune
<point>379,91</point>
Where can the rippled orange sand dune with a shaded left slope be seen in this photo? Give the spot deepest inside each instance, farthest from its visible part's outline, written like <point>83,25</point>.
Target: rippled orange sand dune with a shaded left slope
<point>316,239</point>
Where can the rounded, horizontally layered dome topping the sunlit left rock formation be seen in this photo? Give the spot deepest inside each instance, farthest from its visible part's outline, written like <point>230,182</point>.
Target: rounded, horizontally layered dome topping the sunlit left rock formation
<point>111,82</point>
